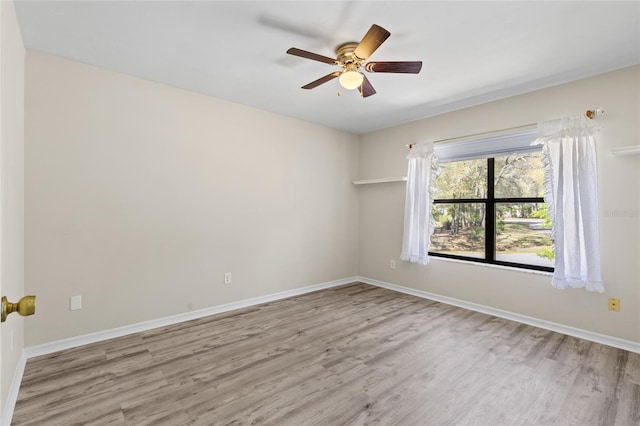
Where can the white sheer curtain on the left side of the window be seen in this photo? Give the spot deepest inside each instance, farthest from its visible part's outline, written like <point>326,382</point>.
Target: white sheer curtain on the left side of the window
<point>418,223</point>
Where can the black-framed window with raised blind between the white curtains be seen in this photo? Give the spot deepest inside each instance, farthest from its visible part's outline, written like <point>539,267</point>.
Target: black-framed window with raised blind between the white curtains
<point>491,209</point>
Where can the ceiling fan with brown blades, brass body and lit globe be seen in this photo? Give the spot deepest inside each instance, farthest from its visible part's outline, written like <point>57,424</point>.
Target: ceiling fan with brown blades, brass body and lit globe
<point>351,57</point>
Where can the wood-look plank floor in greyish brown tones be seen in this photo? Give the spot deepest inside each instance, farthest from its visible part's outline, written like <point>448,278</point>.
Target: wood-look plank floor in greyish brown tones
<point>351,355</point>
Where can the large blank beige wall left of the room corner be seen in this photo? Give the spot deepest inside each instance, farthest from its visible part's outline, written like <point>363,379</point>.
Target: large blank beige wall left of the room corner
<point>140,196</point>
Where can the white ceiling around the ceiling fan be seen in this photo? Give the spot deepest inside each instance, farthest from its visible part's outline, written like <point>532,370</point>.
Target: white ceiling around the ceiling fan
<point>472,52</point>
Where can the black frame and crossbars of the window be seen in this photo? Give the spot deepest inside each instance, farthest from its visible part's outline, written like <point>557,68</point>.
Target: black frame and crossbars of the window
<point>490,225</point>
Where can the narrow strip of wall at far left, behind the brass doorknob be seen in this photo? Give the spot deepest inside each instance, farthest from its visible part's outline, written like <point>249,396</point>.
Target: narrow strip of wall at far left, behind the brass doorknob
<point>12,56</point>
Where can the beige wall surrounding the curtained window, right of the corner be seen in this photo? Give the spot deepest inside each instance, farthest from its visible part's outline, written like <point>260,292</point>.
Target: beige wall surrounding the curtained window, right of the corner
<point>382,154</point>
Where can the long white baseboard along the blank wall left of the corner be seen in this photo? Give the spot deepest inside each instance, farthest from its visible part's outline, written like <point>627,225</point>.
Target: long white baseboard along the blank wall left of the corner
<point>72,342</point>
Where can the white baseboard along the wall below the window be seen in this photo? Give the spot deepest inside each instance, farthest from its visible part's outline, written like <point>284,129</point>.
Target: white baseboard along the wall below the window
<point>628,345</point>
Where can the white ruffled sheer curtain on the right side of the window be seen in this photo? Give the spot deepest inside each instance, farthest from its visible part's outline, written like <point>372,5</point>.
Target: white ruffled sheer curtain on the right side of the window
<point>571,193</point>
